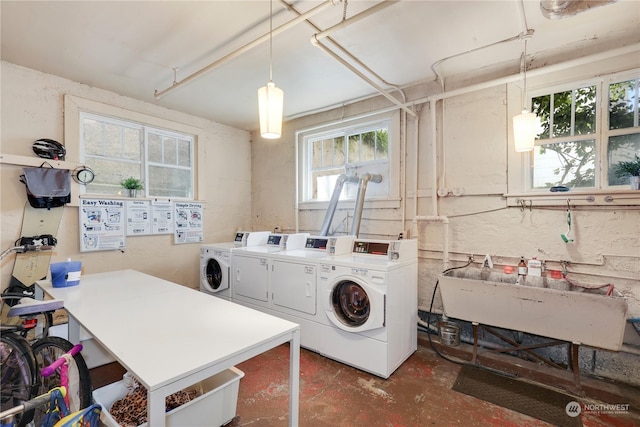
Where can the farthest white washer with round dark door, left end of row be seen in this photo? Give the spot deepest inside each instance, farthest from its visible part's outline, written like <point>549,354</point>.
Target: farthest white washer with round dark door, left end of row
<point>215,262</point>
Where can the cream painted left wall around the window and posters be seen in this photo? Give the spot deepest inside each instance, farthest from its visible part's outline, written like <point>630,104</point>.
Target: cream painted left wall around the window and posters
<point>32,108</point>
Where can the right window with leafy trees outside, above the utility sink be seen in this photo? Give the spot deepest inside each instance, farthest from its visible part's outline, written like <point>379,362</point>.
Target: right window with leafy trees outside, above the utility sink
<point>585,131</point>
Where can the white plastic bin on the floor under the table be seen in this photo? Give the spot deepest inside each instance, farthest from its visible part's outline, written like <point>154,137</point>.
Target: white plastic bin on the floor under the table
<point>216,406</point>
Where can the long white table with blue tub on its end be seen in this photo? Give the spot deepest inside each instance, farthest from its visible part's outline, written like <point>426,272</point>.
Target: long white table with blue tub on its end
<point>170,336</point>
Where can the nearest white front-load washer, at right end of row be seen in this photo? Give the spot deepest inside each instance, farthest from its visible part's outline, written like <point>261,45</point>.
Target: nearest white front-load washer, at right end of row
<point>370,301</point>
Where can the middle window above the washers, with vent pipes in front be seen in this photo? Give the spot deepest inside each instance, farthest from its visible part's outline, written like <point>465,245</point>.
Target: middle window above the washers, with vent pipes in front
<point>359,147</point>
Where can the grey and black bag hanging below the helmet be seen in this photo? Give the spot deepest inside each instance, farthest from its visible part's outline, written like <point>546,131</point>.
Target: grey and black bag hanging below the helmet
<point>47,187</point>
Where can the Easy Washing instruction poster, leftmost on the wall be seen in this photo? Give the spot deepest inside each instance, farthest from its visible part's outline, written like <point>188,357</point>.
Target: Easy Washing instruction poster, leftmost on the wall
<point>102,225</point>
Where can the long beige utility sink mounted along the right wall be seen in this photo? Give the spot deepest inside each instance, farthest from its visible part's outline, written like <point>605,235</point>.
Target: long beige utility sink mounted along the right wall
<point>540,306</point>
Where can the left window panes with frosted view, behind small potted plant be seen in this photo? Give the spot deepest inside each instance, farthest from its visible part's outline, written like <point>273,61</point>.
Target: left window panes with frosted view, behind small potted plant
<point>116,149</point>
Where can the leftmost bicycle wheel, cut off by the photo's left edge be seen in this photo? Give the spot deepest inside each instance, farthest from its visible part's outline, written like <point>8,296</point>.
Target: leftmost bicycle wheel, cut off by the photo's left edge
<point>17,373</point>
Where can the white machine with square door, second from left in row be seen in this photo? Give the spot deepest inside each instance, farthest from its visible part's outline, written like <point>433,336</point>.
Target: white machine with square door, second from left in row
<point>251,269</point>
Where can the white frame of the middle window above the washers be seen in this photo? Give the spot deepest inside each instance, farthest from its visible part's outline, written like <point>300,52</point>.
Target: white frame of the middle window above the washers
<point>340,128</point>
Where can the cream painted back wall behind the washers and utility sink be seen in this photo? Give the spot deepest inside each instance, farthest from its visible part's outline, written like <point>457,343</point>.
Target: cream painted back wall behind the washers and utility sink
<point>474,154</point>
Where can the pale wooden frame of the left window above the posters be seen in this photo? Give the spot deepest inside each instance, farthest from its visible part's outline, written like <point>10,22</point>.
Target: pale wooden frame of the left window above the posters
<point>74,106</point>
